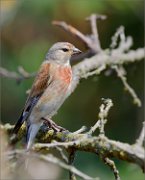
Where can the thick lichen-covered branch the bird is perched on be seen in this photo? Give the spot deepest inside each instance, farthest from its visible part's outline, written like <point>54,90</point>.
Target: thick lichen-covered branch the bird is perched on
<point>84,142</point>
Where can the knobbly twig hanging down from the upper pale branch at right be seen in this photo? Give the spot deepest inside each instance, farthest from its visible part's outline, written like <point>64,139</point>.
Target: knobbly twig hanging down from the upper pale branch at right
<point>120,73</point>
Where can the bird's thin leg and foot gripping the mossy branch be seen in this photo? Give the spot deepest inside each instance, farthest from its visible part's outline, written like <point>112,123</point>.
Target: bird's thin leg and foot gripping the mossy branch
<point>53,125</point>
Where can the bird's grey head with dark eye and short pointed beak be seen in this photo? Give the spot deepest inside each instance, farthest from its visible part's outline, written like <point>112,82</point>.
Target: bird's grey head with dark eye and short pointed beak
<point>61,52</point>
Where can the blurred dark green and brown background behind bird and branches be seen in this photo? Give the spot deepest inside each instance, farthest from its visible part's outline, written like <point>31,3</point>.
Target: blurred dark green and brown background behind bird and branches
<point>27,34</point>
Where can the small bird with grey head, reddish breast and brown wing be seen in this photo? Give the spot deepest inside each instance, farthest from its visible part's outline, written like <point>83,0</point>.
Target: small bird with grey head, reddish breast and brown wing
<point>49,90</point>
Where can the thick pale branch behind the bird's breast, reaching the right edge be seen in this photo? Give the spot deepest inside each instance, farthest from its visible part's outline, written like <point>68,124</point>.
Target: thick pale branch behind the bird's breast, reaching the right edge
<point>104,59</point>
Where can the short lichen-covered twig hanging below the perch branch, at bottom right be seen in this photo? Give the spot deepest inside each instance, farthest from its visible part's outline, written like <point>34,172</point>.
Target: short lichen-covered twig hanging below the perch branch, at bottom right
<point>111,164</point>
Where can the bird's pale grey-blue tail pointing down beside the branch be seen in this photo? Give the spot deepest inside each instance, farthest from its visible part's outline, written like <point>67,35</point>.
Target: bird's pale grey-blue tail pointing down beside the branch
<point>32,130</point>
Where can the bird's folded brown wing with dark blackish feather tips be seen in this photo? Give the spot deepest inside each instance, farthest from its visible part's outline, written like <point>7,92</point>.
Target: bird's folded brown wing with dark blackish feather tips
<point>39,86</point>
